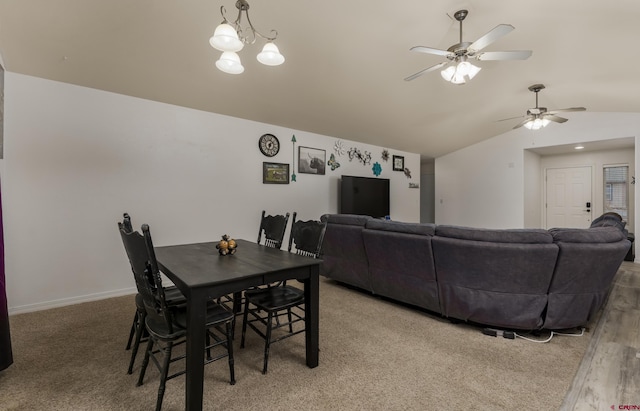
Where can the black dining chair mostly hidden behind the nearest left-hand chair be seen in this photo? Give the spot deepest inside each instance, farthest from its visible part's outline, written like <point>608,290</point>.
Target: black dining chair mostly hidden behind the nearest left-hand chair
<point>138,333</point>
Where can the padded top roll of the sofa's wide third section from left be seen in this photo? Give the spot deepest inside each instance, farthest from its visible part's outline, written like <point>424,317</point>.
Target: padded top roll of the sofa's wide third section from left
<point>522,236</point>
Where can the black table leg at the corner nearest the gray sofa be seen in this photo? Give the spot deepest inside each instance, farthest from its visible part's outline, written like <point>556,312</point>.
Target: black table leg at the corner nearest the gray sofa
<point>312,315</point>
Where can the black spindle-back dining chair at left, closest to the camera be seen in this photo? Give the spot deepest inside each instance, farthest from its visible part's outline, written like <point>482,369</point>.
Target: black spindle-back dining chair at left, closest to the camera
<point>167,325</point>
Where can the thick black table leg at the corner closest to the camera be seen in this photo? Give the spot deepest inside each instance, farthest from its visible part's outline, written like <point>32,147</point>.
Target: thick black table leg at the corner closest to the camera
<point>196,315</point>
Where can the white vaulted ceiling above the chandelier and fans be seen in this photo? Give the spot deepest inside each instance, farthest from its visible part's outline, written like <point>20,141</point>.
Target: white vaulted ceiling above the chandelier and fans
<point>345,61</point>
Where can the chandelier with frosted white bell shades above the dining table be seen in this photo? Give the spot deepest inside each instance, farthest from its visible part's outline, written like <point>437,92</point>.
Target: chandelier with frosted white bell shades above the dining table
<point>230,37</point>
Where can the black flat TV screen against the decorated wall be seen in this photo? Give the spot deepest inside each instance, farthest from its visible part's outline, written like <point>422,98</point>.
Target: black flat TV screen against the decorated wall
<point>365,196</point>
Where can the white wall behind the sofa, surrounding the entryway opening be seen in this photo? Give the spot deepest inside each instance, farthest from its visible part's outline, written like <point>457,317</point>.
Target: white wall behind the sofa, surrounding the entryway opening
<point>483,185</point>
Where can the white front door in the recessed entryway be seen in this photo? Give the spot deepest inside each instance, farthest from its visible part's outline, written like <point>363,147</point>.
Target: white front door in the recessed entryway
<point>568,195</point>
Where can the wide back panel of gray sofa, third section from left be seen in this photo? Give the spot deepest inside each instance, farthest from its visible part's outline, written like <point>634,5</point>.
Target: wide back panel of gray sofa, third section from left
<point>497,277</point>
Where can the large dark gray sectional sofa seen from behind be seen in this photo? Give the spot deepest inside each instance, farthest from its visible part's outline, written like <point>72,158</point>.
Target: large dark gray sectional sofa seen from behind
<point>526,279</point>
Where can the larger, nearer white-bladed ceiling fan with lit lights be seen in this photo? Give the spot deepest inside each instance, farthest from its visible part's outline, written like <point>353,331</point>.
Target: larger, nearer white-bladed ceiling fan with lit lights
<point>459,54</point>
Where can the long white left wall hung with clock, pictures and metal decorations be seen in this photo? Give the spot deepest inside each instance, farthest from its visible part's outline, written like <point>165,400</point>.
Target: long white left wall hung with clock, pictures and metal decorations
<point>77,158</point>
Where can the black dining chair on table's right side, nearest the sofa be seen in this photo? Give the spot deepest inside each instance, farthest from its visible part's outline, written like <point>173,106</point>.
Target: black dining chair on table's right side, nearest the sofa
<point>264,307</point>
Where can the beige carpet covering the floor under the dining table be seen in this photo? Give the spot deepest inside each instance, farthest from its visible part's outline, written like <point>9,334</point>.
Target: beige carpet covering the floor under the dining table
<point>374,355</point>
